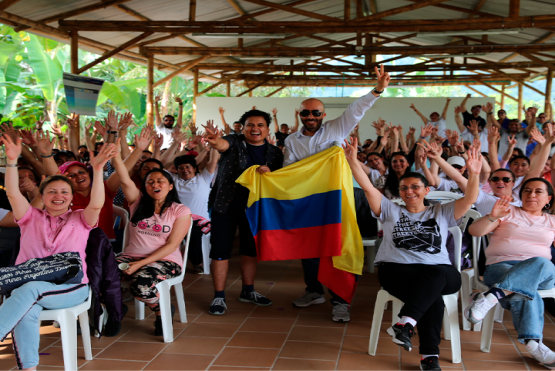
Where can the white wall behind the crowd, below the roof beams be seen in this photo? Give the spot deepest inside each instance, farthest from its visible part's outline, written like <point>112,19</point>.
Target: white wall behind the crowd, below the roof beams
<point>395,110</point>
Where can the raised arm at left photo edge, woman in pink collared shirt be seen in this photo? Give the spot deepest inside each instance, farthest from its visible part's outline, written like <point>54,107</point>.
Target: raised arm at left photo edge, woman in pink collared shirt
<point>19,203</point>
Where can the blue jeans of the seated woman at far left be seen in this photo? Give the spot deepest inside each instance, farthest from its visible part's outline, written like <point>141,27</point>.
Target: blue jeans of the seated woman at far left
<point>20,314</point>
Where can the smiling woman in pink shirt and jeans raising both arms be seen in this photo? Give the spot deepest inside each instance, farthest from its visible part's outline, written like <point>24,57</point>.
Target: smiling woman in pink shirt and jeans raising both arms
<point>54,230</point>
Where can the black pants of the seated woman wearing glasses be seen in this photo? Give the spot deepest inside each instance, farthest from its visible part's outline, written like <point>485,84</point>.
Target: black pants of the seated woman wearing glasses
<point>420,287</point>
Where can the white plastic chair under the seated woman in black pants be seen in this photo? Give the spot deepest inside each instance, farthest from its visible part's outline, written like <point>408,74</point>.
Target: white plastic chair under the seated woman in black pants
<point>451,329</point>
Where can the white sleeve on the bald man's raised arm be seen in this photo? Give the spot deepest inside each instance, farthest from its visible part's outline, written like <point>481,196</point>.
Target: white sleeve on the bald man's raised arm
<point>344,124</point>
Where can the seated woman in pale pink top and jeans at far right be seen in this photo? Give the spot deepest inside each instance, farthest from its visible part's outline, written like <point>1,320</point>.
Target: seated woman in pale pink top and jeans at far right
<point>519,263</point>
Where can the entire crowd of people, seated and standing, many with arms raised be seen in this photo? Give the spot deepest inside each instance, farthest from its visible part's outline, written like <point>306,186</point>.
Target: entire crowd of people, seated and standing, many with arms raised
<point>56,190</point>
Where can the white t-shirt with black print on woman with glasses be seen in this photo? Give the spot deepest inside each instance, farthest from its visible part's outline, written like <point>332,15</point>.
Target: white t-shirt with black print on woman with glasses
<point>415,238</point>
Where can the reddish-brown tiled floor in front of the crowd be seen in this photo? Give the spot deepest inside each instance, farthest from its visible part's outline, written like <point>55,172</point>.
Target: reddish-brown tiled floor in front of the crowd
<point>278,338</point>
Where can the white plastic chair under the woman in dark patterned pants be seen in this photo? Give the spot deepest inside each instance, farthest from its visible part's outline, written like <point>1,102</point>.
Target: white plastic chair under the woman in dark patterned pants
<point>165,304</point>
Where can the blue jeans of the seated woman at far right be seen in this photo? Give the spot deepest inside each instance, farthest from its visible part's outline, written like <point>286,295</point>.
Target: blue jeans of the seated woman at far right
<point>524,278</point>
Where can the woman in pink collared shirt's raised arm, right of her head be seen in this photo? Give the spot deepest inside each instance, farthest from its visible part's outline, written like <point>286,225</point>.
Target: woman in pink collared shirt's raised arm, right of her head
<point>106,153</point>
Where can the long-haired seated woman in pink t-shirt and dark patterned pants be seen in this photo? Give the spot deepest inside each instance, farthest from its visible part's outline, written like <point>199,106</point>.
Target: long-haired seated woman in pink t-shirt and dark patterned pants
<point>158,224</point>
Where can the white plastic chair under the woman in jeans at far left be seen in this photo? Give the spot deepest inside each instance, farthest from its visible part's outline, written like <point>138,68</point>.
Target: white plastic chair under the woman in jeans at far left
<point>66,318</point>
